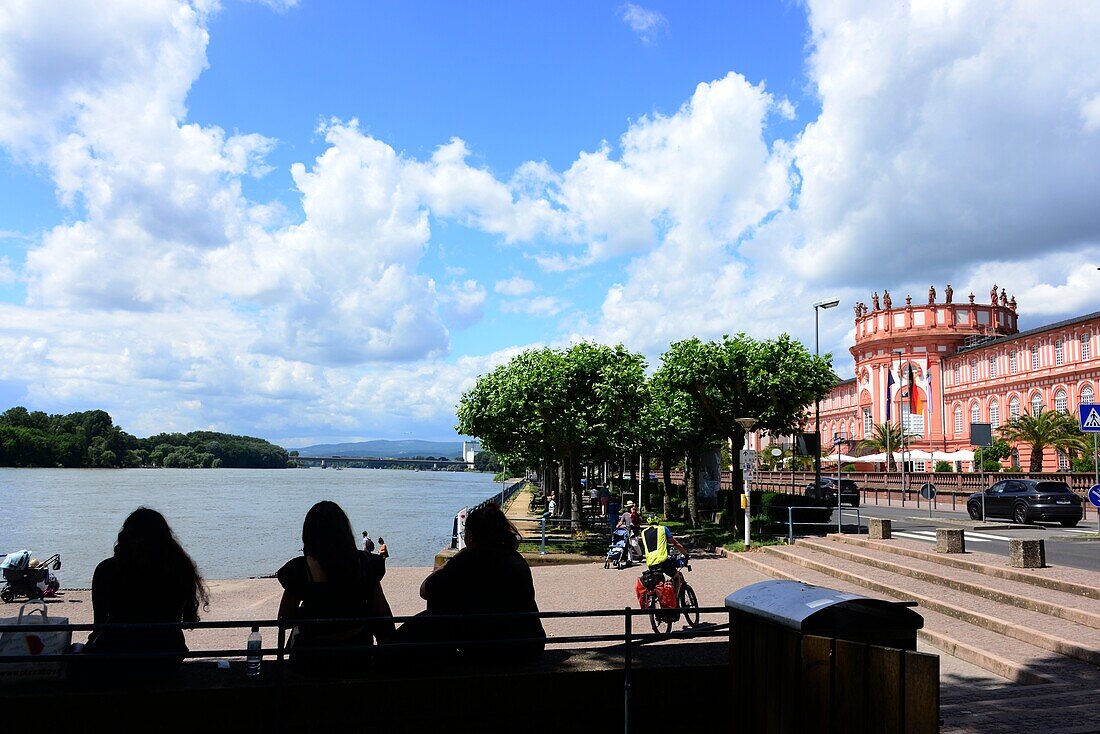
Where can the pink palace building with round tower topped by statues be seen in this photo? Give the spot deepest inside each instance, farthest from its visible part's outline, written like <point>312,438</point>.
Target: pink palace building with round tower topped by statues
<point>971,365</point>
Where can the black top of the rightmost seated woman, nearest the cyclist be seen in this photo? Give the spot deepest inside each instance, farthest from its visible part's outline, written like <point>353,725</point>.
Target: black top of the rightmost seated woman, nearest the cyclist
<point>487,580</point>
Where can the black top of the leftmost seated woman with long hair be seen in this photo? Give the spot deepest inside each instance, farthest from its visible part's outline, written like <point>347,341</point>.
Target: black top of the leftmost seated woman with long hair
<point>153,598</point>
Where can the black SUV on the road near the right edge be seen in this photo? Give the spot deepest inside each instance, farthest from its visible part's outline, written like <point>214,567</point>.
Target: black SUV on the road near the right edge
<point>1029,500</point>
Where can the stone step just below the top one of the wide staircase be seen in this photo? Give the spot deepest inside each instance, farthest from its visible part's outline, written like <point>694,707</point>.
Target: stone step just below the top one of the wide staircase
<point>1072,608</point>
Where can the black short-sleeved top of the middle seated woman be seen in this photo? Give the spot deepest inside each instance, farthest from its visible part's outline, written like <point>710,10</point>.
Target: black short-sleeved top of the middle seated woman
<point>333,600</point>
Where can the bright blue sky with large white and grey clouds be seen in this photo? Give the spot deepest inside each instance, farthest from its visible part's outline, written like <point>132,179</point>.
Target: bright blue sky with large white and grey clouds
<point>322,221</point>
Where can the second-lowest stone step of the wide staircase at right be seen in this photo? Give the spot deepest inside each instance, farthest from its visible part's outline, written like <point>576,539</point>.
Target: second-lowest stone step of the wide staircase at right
<point>1060,637</point>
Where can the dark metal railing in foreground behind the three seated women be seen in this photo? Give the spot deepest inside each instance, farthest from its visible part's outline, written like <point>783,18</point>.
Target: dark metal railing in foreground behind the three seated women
<point>629,638</point>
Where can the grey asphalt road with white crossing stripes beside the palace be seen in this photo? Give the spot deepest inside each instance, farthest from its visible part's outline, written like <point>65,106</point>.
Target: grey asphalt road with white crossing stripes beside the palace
<point>1077,547</point>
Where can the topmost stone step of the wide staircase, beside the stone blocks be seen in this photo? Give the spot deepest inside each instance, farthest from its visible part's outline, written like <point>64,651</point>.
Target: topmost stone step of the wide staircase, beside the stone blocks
<point>1068,580</point>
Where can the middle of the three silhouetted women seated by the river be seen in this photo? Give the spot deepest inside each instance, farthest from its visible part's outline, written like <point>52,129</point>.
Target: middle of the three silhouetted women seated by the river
<point>333,579</point>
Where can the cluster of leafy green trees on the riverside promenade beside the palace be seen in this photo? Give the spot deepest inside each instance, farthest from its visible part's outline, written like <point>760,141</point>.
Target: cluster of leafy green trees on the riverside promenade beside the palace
<point>563,410</point>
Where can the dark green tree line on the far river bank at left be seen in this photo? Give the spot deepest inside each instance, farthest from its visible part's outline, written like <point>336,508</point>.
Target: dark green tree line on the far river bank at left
<point>91,440</point>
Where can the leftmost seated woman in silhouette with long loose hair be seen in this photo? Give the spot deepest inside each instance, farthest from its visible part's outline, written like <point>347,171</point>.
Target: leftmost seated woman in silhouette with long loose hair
<point>150,578</point>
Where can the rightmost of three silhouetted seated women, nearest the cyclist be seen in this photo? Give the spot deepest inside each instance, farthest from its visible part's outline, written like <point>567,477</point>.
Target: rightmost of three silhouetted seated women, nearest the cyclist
<point>489,576</point>
